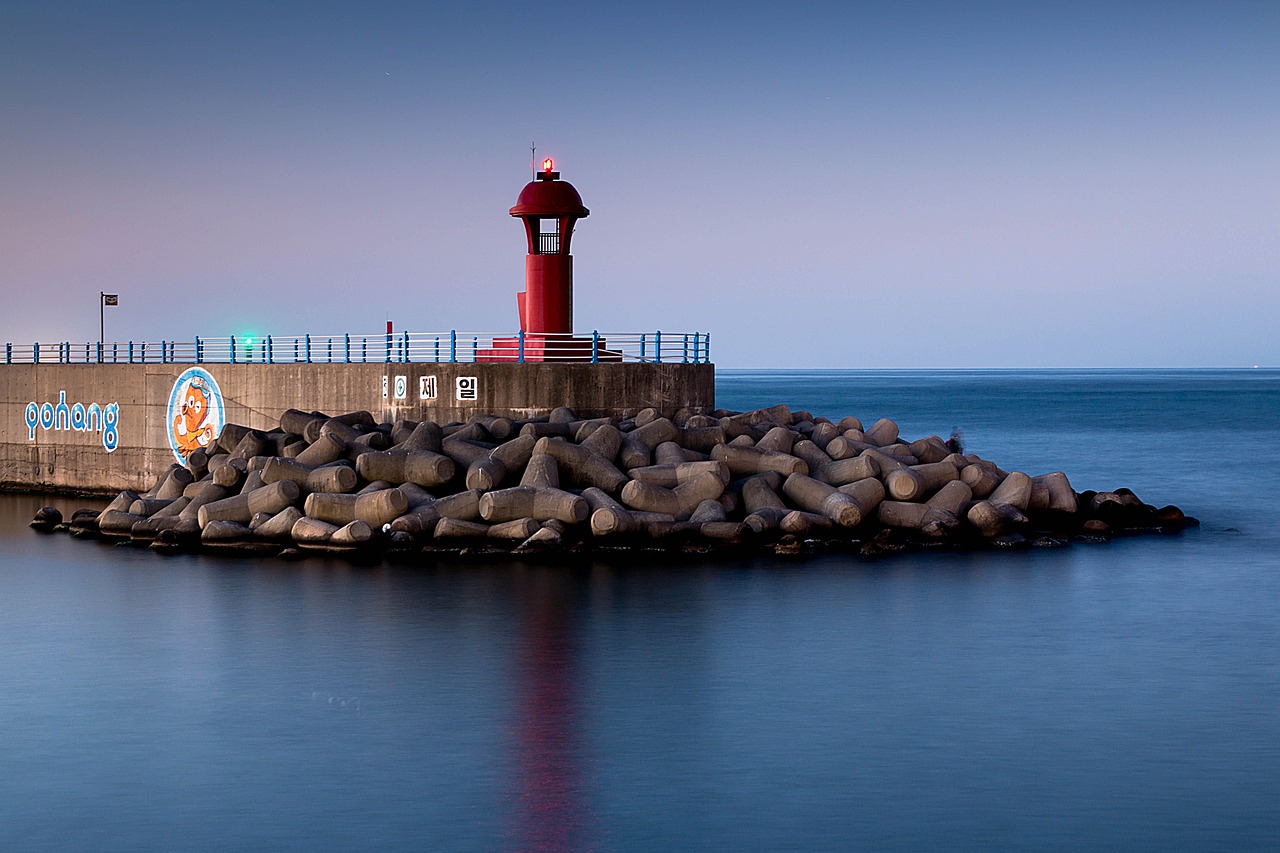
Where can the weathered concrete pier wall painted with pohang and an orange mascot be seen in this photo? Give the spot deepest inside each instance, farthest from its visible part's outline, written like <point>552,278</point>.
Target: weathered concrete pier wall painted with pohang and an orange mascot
<point>104,428</point>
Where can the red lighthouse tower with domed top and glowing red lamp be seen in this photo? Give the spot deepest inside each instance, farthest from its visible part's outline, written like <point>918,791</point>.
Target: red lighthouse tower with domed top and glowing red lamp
<point>550,209</point>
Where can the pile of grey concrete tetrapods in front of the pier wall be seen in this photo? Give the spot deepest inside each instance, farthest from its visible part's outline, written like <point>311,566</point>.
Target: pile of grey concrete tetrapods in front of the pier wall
<point>769,482</point>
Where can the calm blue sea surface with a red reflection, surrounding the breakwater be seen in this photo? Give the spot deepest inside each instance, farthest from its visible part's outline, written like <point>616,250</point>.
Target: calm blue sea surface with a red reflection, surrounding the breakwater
<point>1099,697</point>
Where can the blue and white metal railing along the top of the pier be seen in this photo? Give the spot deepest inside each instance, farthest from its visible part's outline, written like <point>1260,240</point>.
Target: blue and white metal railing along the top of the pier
<point>597,348</point>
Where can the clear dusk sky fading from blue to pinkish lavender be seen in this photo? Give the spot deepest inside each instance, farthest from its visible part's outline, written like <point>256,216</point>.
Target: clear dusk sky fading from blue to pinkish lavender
<point>848,185</point>
